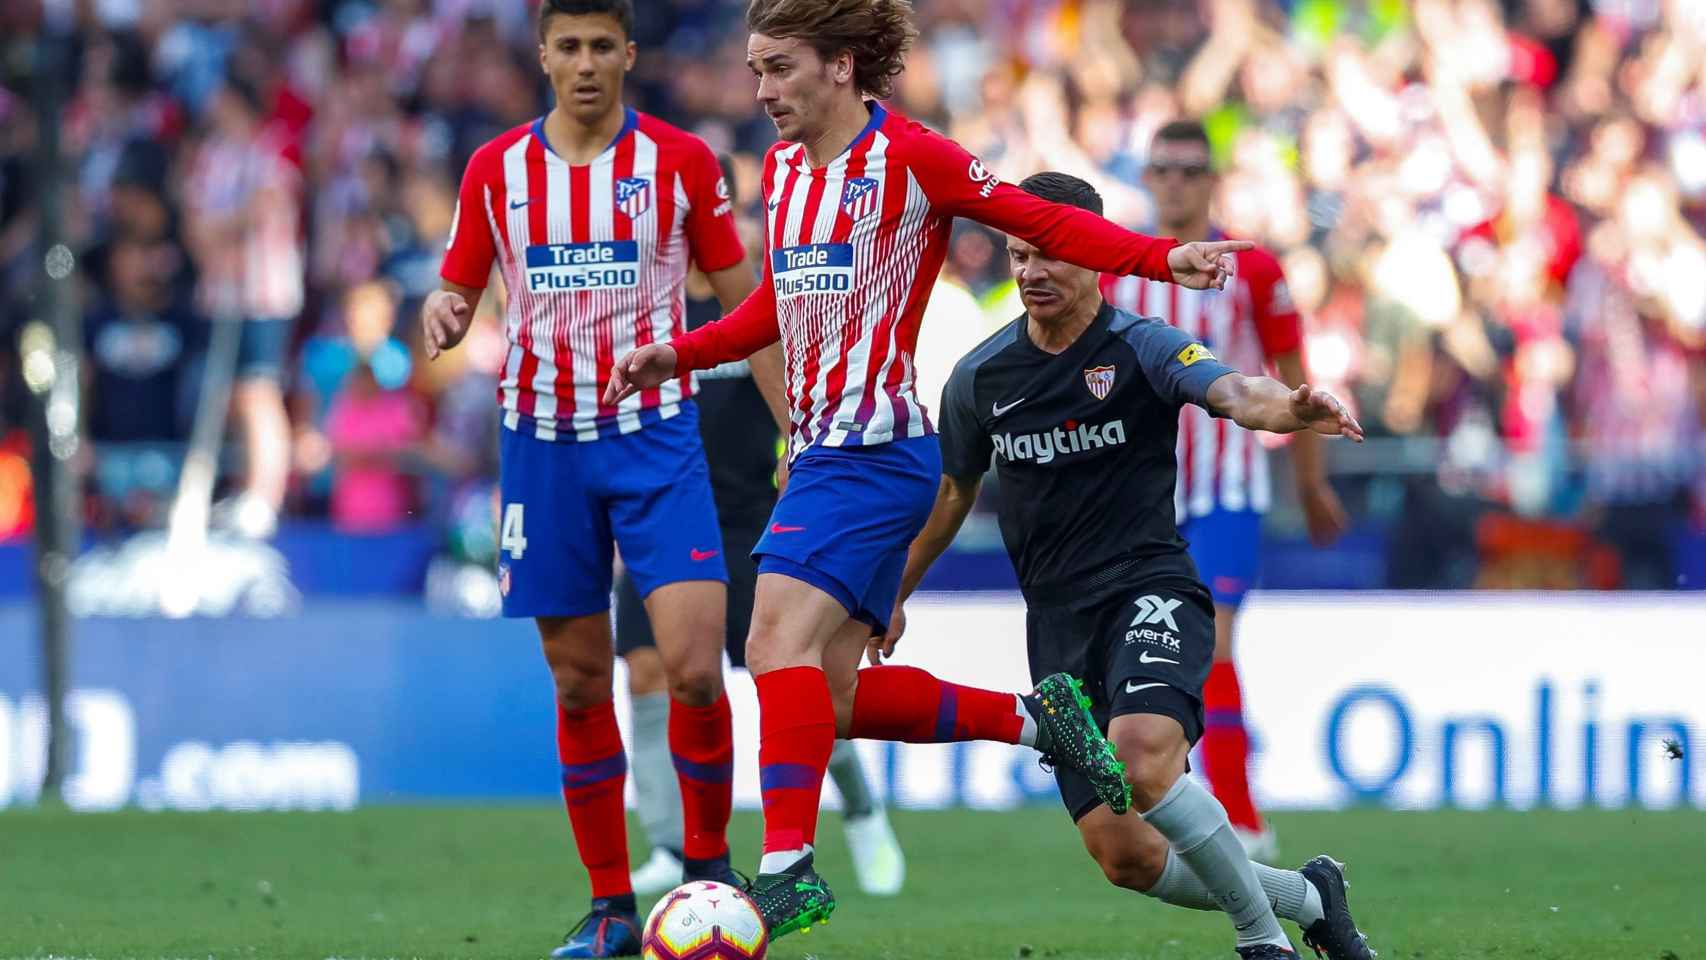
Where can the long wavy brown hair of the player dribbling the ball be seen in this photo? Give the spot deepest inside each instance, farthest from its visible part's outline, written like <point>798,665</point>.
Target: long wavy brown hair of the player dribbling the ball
<point>878,33</point>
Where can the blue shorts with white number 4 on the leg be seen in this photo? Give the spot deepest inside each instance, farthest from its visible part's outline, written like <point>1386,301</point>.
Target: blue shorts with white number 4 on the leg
<point>564,504</point>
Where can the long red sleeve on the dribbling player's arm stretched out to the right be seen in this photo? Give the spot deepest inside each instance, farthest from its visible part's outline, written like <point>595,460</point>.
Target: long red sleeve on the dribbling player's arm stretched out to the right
<point>961,187</point>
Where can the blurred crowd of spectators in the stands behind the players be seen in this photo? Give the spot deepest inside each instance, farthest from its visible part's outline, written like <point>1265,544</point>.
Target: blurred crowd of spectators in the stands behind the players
<point>1492,217</point>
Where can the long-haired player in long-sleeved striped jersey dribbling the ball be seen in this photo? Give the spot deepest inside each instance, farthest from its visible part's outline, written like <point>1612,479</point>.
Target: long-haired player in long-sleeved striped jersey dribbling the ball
<point>861,205</point>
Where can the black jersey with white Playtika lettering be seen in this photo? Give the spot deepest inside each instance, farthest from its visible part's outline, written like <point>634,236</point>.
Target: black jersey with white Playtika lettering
<point>1082,444</point>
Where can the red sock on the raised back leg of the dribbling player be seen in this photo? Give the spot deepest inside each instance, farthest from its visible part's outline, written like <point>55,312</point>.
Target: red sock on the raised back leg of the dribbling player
<point>912,707</point>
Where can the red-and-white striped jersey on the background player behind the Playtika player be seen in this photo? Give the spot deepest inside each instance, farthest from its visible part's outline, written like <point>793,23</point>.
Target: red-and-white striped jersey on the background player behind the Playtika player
<point>1246,327</point>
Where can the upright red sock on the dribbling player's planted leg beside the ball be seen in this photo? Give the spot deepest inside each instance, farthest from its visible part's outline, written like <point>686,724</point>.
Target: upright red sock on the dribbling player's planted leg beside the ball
<point>798,729</point>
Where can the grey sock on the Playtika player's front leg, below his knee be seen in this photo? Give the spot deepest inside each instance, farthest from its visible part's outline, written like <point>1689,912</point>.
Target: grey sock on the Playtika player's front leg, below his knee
<point>1197,828</point>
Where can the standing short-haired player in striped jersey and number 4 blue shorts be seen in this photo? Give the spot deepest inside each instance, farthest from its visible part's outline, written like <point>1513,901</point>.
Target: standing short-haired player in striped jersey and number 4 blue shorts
<point>593,216</point>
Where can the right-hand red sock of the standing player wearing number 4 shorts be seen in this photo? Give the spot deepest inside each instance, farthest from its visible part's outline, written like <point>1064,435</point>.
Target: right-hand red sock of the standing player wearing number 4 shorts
<point>702,744</point>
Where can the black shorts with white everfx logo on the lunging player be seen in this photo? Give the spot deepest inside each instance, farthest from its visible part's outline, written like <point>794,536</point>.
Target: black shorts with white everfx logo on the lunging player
<point>1146,647</point>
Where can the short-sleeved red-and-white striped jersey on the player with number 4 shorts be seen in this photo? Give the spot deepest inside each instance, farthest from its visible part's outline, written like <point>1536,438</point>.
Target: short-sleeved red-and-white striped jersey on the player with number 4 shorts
<point>595,260</point>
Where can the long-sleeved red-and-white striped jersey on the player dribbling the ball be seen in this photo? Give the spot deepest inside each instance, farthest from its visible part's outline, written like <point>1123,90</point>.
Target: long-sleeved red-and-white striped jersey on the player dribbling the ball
<point>852,253</point>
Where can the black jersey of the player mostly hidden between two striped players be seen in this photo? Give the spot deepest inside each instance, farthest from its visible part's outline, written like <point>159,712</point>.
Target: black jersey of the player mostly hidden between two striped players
<point>741,439</point>
